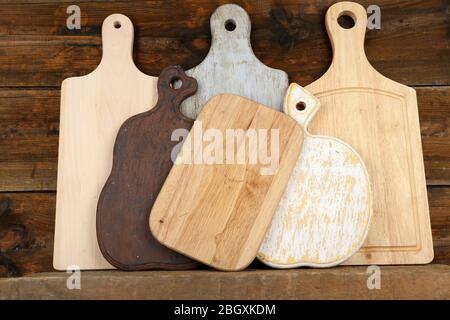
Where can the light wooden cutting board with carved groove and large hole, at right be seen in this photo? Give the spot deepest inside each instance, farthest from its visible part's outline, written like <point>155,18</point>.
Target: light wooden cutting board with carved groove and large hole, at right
<point>379,118</point>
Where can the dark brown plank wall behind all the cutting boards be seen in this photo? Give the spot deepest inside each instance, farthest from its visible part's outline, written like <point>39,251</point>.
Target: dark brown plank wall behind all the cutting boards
<point>37,52</point>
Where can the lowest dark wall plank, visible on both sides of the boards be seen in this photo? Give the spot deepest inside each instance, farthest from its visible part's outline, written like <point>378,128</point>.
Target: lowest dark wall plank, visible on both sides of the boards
<point>27,227</point>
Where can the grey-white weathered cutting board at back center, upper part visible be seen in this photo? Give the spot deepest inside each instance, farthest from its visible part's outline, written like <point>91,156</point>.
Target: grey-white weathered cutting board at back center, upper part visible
<point>231,66</point>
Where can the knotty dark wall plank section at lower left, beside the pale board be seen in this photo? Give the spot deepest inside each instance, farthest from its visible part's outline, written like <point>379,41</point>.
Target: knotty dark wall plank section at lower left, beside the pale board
<point>27,222</point>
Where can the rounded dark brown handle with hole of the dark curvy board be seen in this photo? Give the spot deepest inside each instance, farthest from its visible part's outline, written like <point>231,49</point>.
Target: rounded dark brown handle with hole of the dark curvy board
<point>174,86</point>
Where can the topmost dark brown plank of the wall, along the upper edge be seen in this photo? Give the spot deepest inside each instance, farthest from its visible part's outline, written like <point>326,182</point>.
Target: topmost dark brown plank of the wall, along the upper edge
<point>48,17</point>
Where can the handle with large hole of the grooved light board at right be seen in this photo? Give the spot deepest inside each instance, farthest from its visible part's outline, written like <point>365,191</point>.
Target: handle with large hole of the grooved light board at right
<point>348,44</point>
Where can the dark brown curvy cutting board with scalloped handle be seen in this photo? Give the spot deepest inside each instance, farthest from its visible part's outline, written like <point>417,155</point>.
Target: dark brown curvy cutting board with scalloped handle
<point>142,161</point>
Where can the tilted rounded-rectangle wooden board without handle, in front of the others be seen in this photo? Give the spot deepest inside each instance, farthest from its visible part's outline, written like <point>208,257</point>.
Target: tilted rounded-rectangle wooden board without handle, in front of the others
<point>217,201</point>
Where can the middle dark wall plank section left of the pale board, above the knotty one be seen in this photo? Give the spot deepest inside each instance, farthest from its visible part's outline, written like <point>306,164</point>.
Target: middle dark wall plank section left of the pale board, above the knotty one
<point>29,128</point>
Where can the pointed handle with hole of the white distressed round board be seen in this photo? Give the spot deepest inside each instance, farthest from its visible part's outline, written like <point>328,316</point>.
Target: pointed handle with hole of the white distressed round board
<point>300,105</point>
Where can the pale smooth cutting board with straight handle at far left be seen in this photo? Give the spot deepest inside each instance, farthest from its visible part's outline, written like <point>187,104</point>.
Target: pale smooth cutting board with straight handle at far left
<point>92,109</point>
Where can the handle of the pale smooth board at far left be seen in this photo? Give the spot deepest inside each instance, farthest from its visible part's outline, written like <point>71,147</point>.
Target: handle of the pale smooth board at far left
<point>117,42</point>
